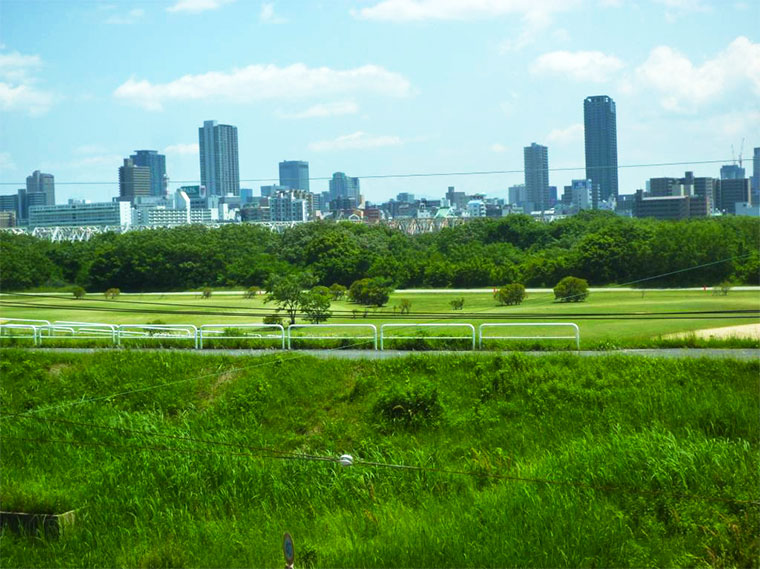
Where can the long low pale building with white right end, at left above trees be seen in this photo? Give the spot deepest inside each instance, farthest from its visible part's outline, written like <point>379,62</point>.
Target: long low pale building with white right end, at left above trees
<point>102,213</point>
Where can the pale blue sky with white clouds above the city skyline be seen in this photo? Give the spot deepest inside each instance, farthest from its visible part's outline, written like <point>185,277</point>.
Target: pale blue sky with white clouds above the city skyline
<point>373,87</point>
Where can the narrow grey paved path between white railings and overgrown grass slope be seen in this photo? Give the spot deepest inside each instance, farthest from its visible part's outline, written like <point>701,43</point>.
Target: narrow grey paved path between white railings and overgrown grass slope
<point>676,353</point>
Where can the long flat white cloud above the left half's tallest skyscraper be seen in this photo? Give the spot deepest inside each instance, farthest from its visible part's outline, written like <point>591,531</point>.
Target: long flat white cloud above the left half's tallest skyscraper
<point>260,82</point>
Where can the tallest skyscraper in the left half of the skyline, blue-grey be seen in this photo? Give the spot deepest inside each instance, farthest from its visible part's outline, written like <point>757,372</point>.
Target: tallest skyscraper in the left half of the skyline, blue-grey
<point>219,158</point>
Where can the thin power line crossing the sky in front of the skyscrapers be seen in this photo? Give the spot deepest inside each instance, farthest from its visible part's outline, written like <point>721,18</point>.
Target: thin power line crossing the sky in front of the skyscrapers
<point>426,174</point>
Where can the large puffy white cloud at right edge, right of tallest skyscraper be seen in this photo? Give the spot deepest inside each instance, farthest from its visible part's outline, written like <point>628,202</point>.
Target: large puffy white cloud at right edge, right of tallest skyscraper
<point>685,87</point>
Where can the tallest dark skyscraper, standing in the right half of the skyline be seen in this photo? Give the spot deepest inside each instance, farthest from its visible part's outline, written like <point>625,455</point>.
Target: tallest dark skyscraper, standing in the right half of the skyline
<point>600,129</point>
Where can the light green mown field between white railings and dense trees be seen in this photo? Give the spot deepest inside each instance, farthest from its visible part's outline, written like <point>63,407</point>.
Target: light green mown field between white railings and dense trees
<point>606,319</point>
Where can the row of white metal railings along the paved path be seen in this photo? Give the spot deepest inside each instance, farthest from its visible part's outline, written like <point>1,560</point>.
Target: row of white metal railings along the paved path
<point>37,330</point>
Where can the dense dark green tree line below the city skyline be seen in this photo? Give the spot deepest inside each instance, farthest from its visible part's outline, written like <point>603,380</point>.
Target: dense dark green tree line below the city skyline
<point>597,246</point>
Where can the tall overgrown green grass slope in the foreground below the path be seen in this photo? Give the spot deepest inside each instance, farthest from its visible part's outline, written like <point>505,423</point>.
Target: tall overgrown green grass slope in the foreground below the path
<point>604,462</point>
